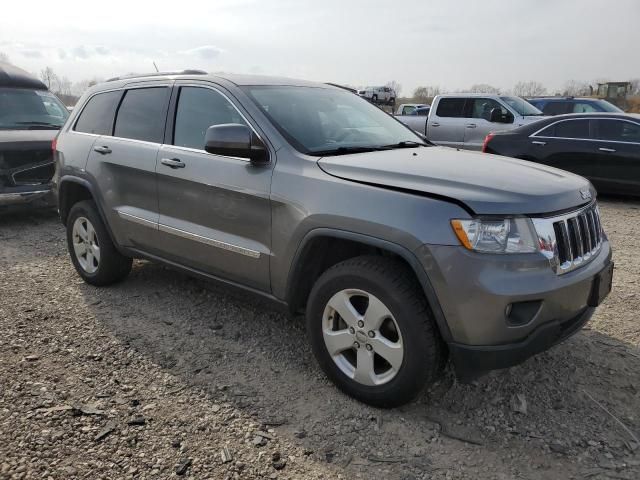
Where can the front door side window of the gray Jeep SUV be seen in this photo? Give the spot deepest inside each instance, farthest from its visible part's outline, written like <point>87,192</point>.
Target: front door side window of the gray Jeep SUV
<point>198,109</point>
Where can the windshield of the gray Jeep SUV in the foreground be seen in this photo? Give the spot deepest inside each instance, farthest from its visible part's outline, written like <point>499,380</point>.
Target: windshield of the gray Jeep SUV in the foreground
<point>321,121</point>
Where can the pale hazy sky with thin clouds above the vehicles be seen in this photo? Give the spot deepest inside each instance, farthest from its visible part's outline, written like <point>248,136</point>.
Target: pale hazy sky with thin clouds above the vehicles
<point>450,43</point>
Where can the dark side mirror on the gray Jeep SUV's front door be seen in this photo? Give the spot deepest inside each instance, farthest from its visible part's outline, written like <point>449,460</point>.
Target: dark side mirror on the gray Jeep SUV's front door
<point>235,140</point>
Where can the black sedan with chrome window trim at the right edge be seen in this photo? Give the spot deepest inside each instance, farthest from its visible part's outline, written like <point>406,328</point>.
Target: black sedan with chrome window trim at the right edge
<point>603,147</point>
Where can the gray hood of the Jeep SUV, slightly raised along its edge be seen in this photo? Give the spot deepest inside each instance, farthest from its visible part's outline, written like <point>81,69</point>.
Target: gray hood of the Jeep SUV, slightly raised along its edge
<point>485,184</point>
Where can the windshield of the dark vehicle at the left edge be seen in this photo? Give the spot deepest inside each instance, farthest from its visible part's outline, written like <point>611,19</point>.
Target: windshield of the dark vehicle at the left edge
<point>22,109</point>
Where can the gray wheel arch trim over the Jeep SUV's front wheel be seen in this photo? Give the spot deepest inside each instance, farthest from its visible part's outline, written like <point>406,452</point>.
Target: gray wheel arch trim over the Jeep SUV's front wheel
<point>322,248</point>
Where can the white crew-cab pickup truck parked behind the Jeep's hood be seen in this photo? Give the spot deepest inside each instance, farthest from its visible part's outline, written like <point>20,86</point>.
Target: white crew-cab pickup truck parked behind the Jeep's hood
<point>464,120</point>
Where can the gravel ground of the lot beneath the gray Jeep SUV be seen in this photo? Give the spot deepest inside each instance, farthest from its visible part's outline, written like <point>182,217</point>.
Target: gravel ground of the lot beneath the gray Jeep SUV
<point>166,376</point>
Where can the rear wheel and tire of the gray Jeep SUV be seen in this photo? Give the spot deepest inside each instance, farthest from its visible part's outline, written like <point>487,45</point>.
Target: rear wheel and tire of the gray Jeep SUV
<point>92,252</point>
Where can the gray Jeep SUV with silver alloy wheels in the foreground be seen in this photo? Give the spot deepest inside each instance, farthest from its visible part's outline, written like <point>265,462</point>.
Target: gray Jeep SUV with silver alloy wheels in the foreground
<point>403,255</point>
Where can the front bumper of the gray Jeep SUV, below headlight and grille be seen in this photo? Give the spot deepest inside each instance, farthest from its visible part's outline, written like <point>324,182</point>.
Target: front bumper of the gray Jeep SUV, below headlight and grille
<point>477,291</point>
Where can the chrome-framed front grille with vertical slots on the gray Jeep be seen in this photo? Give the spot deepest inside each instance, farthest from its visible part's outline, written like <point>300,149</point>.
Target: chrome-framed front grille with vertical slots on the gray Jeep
<point>571,240</point>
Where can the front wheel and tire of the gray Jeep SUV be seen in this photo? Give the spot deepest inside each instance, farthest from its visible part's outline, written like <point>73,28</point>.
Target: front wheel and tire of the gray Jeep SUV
<point>371,331</point>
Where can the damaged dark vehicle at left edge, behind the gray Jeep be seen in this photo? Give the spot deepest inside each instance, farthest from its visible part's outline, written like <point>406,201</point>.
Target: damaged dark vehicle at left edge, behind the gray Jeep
<point>30,117</point>
